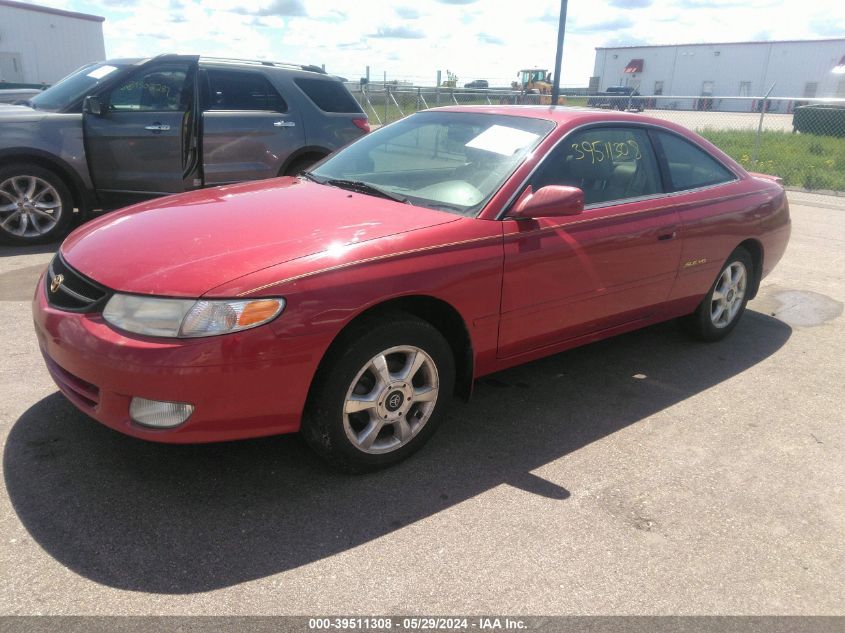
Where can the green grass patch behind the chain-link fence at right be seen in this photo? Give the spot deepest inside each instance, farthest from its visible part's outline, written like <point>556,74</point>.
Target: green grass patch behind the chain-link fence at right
<point>802,160</point>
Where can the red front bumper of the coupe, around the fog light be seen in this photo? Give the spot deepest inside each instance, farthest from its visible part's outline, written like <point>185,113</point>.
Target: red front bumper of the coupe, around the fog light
<point>242,385</point>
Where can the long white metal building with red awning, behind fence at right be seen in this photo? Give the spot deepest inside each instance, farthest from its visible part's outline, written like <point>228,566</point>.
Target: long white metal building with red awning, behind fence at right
<point>798,68</point>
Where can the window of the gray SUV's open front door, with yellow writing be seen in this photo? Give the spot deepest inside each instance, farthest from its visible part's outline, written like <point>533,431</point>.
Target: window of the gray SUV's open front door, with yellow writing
<point>161,89</point>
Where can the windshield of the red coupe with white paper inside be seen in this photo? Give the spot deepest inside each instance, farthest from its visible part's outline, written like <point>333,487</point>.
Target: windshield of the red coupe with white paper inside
<point>454,161</point>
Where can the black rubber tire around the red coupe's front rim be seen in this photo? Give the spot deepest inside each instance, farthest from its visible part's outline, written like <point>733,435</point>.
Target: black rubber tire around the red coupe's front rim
<point>327,428</point>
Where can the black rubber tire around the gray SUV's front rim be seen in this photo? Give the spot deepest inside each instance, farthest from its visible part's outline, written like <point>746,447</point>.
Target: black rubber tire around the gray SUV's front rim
<point>59,195</point>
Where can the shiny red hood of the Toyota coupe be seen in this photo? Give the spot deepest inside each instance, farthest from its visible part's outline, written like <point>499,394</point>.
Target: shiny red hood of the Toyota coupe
<point>188,244</point>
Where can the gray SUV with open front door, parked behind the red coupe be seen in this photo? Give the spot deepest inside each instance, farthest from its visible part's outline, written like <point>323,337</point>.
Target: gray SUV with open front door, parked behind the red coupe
<point>125,130</point>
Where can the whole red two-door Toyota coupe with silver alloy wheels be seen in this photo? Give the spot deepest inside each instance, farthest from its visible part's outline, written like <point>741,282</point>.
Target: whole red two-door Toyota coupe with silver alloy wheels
<point>351,302</point>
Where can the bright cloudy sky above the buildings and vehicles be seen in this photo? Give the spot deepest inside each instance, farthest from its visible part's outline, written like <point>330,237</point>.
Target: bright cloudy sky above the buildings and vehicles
<point>412,39</point>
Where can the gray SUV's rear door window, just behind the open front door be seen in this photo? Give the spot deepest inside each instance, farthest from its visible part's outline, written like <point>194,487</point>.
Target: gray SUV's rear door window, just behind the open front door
<point>240,90</point>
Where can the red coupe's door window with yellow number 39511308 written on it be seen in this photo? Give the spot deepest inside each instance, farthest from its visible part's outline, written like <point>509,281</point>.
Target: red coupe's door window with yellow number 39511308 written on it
<point>606,163</point>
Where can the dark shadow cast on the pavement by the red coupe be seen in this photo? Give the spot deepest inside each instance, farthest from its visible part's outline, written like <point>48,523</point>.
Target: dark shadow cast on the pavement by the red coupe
<point>183,519</point>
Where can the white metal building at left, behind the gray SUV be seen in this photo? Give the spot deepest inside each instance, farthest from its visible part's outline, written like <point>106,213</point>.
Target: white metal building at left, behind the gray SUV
<point>42,44</point>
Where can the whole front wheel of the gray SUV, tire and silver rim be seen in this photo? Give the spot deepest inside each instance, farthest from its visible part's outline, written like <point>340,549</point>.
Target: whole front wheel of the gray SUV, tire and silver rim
<point>35,205</point>
